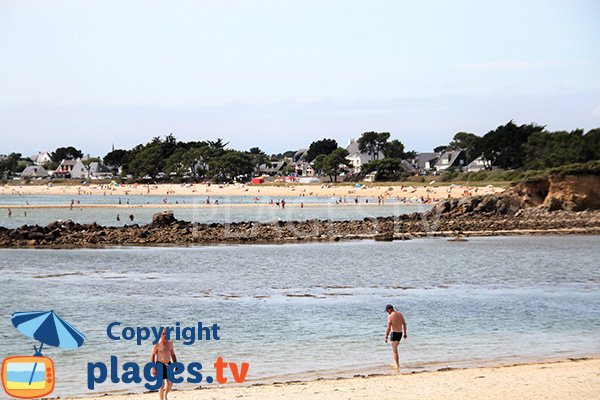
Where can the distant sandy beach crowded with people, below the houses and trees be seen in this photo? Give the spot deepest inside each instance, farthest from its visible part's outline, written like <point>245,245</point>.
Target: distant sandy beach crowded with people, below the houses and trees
<point>432,192</point>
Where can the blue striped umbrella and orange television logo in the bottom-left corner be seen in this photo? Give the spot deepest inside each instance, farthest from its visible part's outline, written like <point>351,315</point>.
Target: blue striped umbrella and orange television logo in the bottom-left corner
<point>30,377</point>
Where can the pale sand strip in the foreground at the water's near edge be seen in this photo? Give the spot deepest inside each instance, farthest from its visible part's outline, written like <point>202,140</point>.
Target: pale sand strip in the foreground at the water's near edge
<point>579,379</point>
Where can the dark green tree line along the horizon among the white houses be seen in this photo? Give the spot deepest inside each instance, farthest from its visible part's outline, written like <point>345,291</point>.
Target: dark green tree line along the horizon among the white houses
<point>509,146</point>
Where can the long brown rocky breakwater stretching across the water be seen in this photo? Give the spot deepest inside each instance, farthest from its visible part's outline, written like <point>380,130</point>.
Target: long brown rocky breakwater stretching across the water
<point>166,230</point>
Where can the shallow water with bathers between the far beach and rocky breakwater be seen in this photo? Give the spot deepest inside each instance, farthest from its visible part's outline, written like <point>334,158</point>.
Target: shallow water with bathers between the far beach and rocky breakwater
<point>229,209</point>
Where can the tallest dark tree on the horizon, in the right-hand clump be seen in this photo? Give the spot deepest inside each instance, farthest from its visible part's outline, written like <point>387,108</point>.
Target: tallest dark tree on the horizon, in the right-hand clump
<point>503,146</point>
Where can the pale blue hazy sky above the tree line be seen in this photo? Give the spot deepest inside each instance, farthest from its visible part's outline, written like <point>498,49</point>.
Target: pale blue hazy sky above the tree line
<point>280,74</point>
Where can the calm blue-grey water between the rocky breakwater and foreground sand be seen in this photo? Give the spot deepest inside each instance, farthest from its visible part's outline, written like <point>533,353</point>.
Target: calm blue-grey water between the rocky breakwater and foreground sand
<point>302,311</point>
